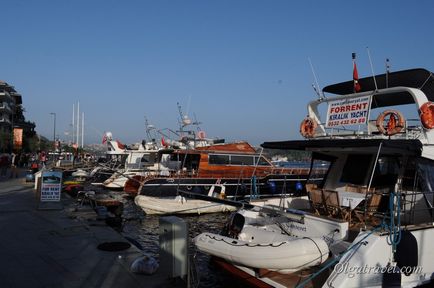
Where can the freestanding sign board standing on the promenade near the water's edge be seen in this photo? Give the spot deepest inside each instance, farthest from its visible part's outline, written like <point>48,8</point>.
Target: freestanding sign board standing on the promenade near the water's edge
<point>50,190</point>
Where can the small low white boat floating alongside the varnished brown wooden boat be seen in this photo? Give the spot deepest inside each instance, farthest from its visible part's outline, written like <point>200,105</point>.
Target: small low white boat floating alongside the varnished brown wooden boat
<point>179,205</point>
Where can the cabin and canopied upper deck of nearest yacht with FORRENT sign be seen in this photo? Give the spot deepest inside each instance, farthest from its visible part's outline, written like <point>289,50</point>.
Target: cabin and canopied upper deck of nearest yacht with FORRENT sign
<point>376,164</point>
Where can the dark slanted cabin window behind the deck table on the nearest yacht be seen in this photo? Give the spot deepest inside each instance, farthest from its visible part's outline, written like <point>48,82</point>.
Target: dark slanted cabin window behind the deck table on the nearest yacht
<point>356,168</point>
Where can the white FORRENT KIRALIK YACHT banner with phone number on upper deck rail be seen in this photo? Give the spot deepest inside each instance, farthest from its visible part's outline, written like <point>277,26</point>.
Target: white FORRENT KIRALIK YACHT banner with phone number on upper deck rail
<point>347,112</point>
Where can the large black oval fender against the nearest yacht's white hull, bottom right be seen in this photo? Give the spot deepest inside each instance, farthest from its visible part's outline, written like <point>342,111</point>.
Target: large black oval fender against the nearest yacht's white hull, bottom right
<point>407,252</point>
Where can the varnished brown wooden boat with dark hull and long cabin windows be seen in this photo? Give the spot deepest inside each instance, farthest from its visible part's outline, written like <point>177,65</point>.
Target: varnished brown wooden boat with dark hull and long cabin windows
<point>238,166</point>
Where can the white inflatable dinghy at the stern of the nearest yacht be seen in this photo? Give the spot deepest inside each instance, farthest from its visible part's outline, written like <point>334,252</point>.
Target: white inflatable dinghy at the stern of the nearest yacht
<point>263,238</point>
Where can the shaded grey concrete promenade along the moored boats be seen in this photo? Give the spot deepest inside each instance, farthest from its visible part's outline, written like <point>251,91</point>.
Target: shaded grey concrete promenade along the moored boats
<point>51,248</point>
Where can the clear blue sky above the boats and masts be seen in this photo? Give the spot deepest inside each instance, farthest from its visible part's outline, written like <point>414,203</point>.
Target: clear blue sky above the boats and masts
<point>240,67</point>
